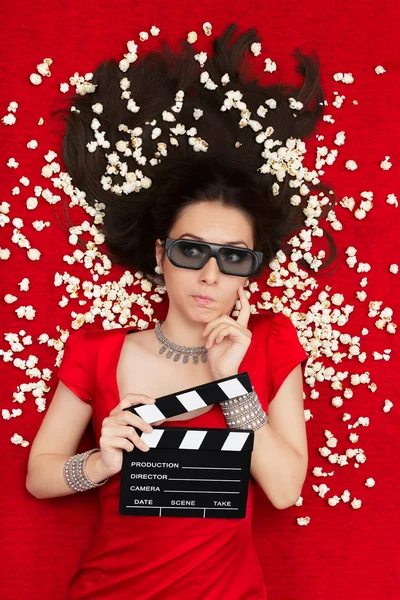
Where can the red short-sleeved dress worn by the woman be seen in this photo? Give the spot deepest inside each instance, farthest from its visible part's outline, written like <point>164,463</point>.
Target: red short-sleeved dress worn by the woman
<point>171,558</point>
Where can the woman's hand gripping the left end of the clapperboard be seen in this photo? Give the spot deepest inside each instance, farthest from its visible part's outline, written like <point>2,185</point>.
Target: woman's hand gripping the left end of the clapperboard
<point>117,433</point>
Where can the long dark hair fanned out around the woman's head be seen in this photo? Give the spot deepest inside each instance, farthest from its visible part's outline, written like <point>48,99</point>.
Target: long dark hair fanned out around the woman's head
<point>228,171</point>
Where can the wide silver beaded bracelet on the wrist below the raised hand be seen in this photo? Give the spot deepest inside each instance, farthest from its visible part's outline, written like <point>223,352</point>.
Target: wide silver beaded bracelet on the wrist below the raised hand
<point>244,412</point>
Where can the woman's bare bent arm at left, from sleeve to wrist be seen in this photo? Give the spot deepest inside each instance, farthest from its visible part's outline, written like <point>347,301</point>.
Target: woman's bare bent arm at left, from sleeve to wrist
<point>56,441</point>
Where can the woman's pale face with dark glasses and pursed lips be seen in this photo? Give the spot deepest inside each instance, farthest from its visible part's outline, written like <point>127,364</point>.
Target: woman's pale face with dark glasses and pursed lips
<point>213,223</point>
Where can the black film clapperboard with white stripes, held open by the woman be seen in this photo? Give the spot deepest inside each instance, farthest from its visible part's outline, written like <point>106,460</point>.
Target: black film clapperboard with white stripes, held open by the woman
<point>189,471</point>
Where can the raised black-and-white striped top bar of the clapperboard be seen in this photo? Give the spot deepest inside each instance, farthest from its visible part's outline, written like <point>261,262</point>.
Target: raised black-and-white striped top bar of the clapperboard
<point>193,398</point>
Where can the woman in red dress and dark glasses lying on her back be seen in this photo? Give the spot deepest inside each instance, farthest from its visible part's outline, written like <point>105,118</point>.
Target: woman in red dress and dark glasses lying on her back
<point>196,200</point>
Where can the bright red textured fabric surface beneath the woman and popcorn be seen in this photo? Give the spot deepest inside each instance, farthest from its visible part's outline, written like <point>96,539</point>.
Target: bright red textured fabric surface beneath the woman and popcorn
<point>342,553</point>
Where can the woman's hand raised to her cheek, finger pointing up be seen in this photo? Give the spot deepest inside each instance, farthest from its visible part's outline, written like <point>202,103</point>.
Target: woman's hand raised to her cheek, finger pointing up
<point>228,340</point>
